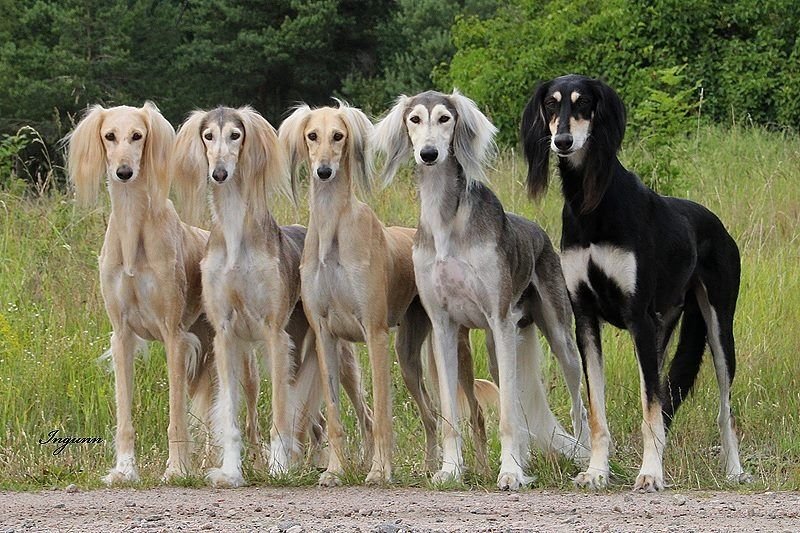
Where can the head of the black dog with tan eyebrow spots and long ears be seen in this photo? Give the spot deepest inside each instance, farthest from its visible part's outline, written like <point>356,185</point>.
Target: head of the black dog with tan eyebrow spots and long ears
<point>581,120</point>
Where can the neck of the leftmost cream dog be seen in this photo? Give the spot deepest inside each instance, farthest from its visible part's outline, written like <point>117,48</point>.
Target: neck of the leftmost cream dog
<point>131,207</point>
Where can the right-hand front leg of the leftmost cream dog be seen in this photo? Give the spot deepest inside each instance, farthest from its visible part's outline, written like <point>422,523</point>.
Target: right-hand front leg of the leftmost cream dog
<point>178,462</point>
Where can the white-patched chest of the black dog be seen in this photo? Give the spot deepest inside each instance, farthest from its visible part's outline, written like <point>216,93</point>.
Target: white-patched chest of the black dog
<point>609,272</point>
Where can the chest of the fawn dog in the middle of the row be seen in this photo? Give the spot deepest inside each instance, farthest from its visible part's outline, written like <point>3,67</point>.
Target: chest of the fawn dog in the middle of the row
<point>334,294</point>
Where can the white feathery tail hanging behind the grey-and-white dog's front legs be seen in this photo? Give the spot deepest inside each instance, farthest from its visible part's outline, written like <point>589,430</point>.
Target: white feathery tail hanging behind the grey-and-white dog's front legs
<point>538,420</point>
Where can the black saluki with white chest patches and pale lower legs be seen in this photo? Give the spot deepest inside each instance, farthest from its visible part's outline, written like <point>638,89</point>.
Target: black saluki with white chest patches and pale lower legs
<point>638,261</point>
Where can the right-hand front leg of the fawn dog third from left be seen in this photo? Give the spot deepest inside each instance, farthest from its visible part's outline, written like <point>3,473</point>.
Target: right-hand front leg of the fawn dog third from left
<point>378,346</point>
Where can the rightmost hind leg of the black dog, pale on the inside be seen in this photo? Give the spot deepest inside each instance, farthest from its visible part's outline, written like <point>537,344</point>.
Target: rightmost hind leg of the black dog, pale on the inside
<point>719,322</point>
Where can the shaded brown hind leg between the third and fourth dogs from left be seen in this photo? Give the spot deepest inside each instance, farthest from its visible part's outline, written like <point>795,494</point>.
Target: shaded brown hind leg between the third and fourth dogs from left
<point>411,334</point>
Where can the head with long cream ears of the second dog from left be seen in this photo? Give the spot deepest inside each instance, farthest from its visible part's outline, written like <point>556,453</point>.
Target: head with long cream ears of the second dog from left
<point>228,147</point>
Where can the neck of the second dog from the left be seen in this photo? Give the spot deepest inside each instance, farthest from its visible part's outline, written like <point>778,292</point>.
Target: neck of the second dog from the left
<point>238,221</point>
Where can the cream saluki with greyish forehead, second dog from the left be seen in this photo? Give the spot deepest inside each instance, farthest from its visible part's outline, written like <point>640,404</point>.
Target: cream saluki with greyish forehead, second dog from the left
<point>251,281</point>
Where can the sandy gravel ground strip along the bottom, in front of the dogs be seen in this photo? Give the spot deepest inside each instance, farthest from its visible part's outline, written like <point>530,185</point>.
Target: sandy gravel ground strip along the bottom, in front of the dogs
<point>296,510</point>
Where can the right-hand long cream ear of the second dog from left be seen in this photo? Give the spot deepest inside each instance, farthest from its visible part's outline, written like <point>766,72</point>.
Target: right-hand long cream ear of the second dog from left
<point>262,160</point>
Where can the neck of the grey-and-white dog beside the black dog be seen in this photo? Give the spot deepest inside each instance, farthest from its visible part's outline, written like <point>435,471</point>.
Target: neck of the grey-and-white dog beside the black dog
<point>444,205</point>
